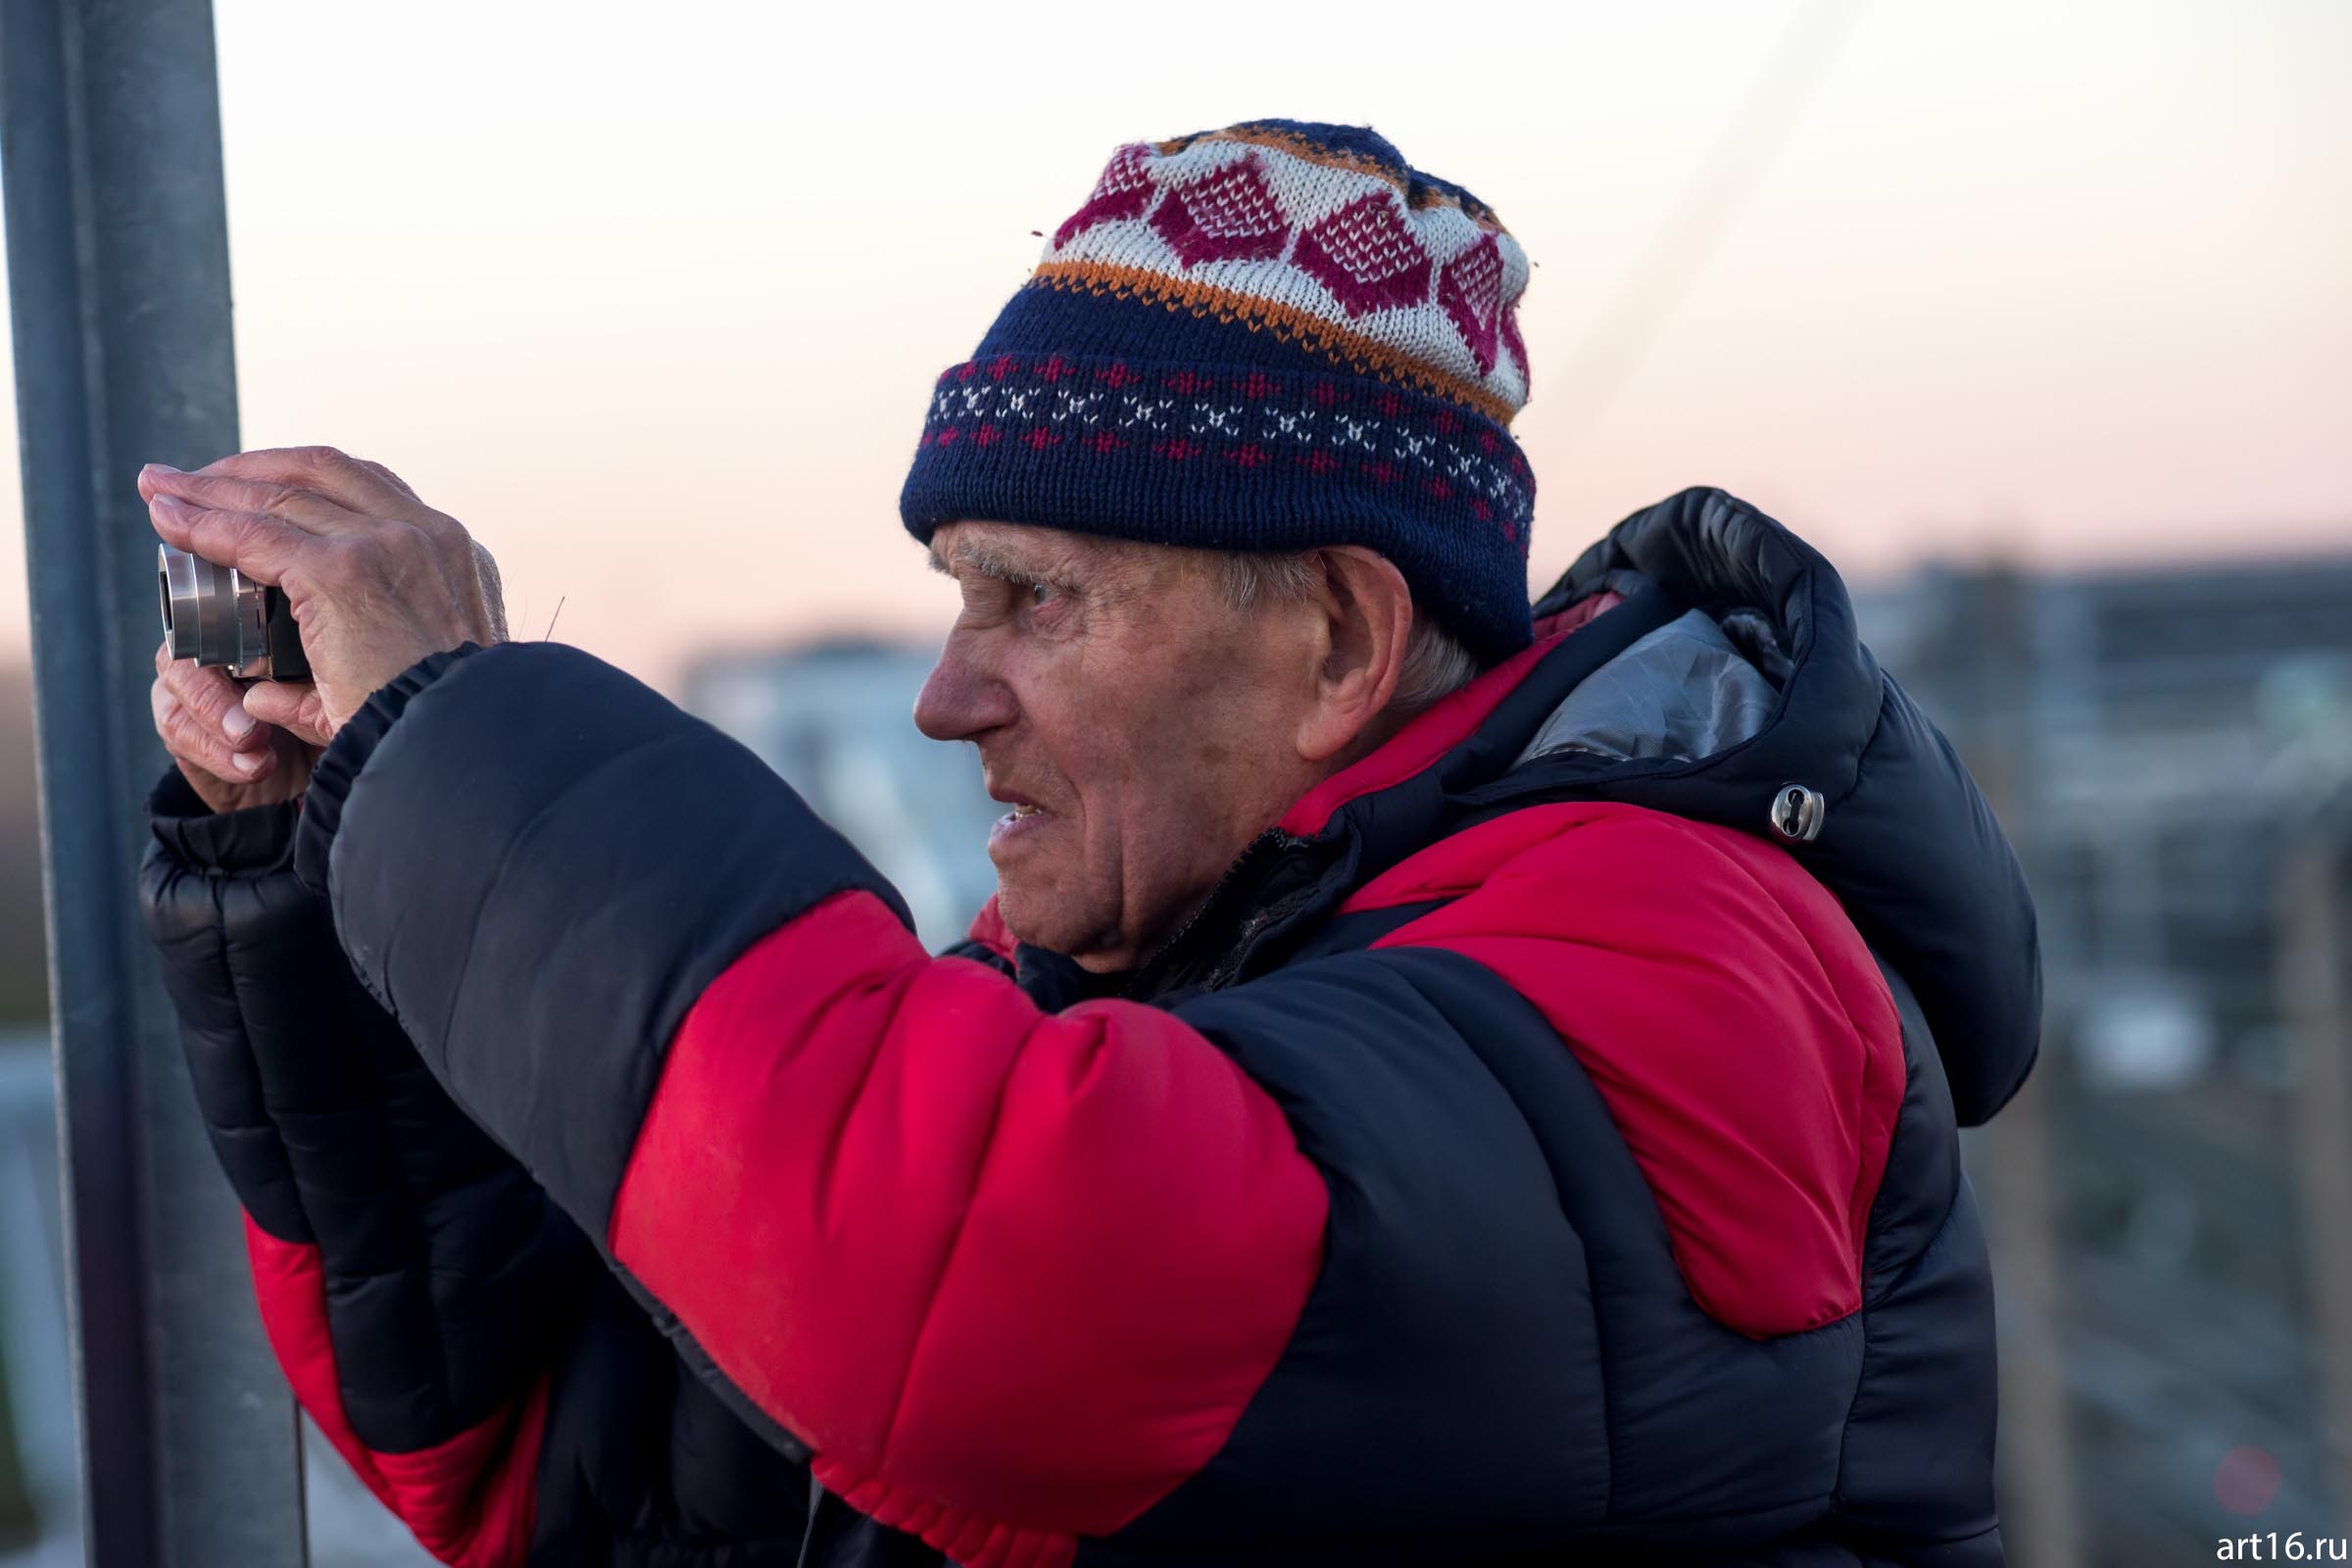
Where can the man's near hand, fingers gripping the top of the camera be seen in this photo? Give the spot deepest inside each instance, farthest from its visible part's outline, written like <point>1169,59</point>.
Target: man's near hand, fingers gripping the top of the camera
<point>375,577</point>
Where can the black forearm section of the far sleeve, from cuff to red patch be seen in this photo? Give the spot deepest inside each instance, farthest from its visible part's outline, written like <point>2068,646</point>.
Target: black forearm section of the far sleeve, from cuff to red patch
<point>448,1275</point>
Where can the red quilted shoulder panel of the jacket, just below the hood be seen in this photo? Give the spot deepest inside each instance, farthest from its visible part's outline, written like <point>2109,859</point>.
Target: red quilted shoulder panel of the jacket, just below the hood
<point>1728,1012</point>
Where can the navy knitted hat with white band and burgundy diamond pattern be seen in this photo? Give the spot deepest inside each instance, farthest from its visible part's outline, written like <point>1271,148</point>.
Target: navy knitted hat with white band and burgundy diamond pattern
<point>1271,337</point>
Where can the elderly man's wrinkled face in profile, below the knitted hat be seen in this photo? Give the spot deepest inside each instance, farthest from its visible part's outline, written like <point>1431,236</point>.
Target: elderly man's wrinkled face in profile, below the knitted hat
<point>1140,725</point>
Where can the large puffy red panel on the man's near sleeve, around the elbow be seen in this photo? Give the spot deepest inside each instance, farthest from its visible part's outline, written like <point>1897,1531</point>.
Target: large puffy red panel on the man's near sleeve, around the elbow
<point>989,1264</point>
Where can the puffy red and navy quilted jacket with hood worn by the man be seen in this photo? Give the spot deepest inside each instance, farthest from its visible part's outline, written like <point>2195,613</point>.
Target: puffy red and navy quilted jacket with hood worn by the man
<point>1542,1141</point>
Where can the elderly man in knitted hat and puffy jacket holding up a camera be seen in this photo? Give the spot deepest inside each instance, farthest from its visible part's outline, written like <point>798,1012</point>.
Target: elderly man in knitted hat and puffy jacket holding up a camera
<point>1441,1080</point>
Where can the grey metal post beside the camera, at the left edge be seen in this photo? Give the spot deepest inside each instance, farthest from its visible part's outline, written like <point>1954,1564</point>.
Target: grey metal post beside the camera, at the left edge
<point>119,281</point>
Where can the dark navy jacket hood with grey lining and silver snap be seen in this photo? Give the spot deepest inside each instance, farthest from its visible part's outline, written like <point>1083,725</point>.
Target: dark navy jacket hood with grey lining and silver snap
<point>1772,688</point>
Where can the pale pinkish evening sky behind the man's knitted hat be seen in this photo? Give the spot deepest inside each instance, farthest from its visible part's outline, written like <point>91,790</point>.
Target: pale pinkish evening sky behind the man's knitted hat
<point>653,297</point>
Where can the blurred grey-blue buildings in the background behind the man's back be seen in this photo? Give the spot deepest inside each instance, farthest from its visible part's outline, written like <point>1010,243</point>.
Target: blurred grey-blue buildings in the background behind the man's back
<point>2172,756</point>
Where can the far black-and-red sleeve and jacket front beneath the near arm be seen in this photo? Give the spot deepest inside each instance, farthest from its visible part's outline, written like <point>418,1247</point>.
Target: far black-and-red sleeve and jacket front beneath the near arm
<point>490,1381</point>
